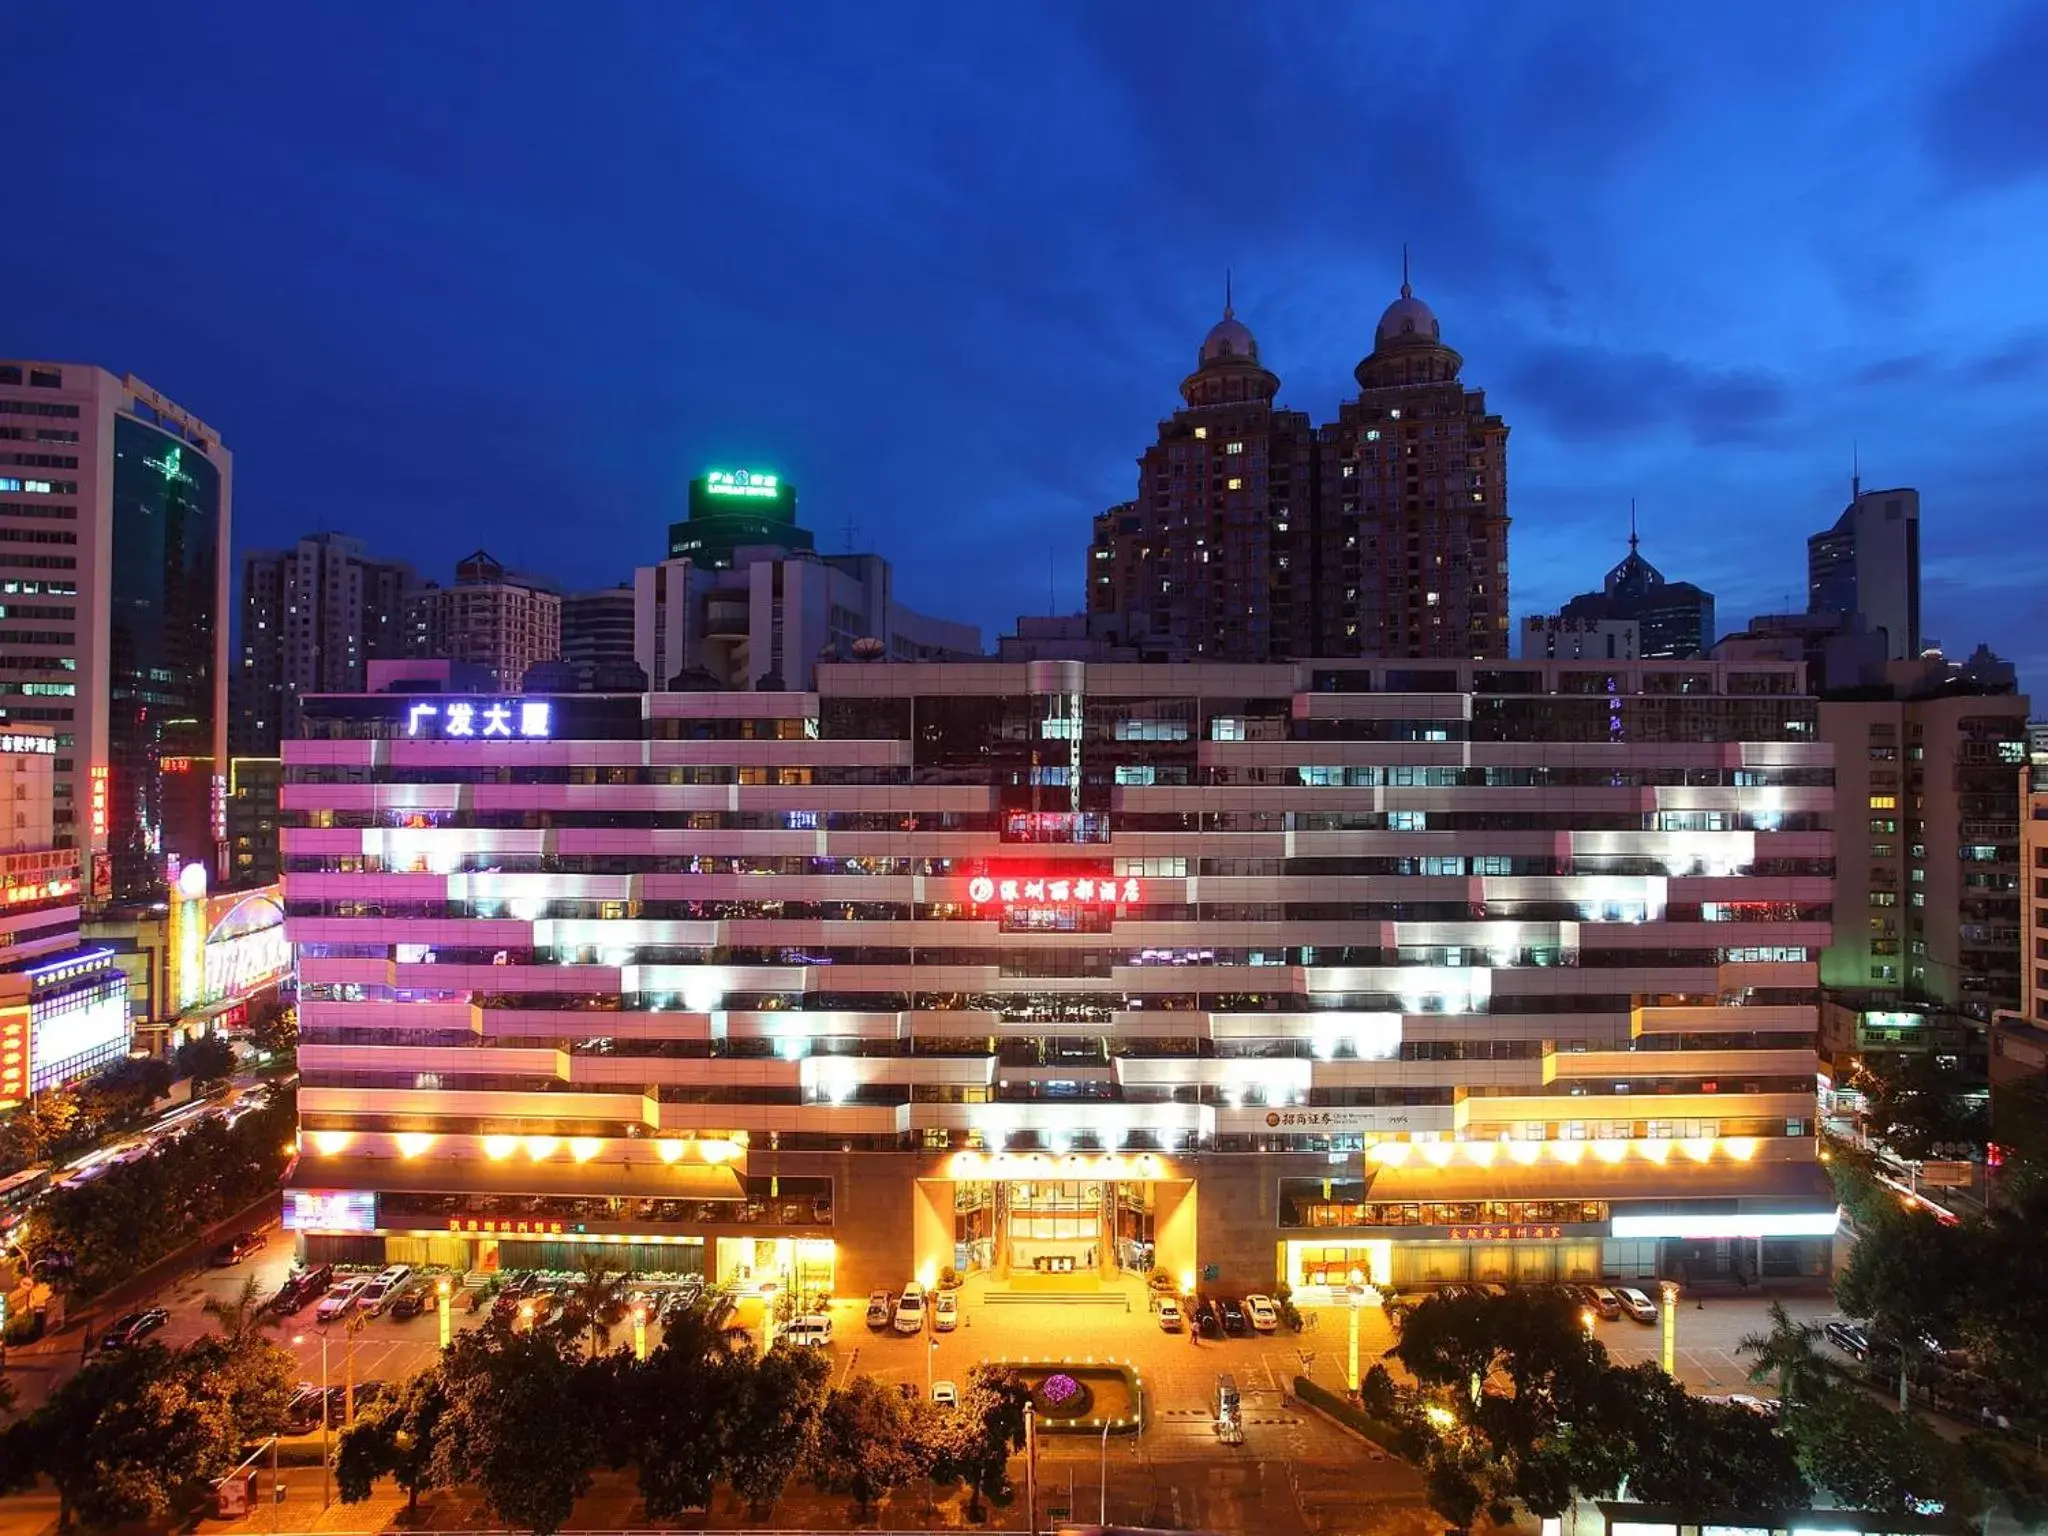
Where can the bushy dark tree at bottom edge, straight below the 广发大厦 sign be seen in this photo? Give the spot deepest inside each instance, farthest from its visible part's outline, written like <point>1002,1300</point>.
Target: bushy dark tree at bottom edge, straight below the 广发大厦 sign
<point>505,1428</point>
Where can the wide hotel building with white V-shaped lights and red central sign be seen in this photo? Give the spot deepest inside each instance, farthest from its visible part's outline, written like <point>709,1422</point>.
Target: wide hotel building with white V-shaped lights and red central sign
<point>1252,974</point>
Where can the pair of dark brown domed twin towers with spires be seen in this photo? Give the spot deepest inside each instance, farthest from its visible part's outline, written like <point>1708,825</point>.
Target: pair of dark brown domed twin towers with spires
<point>1258,538</point>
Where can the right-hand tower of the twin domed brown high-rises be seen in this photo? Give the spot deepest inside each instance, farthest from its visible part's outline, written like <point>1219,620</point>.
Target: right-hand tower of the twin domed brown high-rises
<point>1412,538</point>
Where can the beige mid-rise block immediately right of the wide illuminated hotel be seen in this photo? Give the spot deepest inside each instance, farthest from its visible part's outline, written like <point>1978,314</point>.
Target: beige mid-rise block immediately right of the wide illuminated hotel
<point>1928,871</point>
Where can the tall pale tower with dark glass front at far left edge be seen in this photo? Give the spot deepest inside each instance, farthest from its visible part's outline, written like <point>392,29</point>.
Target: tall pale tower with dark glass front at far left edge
<point>114,577</point>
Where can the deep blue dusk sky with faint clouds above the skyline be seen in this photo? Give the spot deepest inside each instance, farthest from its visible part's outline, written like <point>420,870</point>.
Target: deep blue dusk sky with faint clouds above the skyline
<point>454,275</point>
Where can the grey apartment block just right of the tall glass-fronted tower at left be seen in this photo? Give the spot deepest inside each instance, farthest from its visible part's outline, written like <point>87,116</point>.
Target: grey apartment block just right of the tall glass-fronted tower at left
<point>312,617</point>
